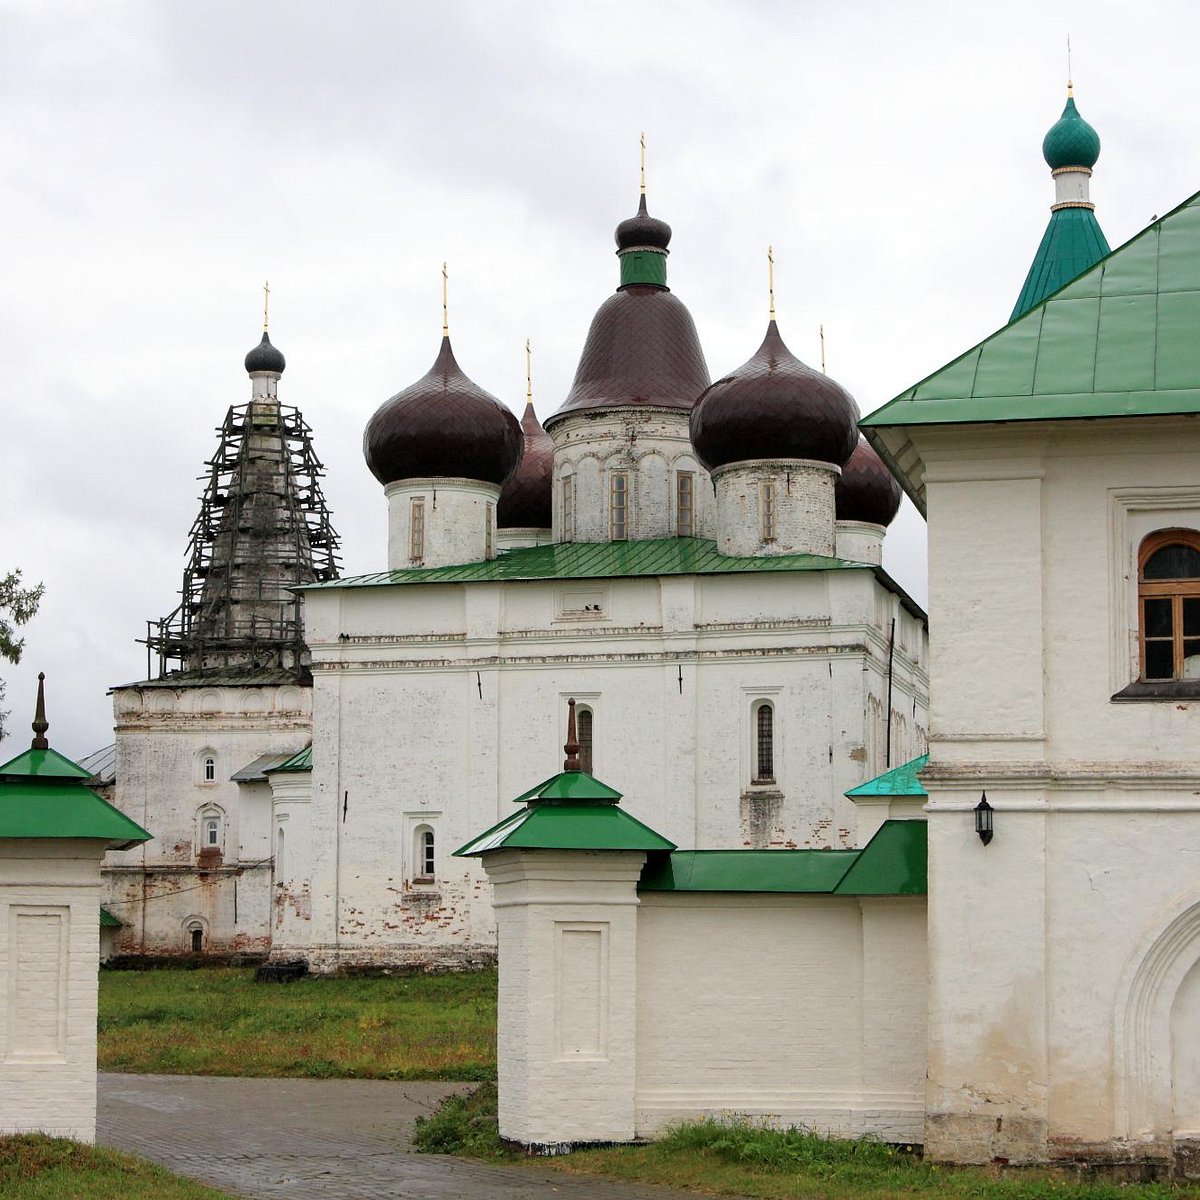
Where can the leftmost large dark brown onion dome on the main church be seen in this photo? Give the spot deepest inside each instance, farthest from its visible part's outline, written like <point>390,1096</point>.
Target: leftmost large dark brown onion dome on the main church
<point>443,425</point>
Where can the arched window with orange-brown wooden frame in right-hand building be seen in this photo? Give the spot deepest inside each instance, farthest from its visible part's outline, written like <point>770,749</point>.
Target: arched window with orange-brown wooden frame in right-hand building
<point>1169,605</point>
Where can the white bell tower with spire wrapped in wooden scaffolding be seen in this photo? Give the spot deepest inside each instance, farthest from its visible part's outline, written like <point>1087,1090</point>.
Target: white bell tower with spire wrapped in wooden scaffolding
<point>229,692</point>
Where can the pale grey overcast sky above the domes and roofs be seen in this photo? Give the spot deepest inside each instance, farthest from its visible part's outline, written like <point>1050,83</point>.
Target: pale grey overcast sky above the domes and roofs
<point>161,160</point>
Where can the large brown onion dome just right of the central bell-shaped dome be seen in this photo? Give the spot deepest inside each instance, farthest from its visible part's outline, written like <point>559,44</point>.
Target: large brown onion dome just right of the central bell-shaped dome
<point>775,407</point>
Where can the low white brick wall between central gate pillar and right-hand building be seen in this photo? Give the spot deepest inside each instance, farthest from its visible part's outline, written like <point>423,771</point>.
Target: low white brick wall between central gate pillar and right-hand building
<point>839,1042</point>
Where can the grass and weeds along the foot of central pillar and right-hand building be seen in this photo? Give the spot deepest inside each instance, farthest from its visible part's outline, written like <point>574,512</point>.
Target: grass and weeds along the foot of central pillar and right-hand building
<point>740,1159</point>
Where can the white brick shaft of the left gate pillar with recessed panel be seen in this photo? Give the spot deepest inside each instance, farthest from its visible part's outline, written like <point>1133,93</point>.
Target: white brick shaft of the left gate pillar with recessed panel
<point>50,915</point>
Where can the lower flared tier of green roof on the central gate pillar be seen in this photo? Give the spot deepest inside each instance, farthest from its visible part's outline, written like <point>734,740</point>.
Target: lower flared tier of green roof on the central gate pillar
<point>567,827</point>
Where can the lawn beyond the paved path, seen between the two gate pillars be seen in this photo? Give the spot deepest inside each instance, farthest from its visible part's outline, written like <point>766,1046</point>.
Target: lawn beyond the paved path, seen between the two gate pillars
<point>219,1022</point>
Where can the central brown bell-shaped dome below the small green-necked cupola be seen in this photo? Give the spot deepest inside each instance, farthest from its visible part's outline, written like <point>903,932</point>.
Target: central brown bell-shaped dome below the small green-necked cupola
<point>643,350</point>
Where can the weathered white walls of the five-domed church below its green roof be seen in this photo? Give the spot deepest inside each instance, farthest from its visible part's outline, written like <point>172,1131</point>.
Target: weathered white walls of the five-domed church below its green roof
<point>409,725</point>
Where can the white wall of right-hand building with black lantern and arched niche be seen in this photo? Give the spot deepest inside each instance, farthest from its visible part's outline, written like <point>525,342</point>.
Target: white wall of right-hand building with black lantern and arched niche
<point>1061,989</point>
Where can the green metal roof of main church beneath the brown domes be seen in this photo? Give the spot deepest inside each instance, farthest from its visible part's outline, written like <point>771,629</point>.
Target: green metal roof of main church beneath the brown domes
<point>597,560</point>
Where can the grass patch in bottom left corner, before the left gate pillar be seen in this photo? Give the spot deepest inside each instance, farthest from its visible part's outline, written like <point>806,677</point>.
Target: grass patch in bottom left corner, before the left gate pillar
<point>38,1168</point>
